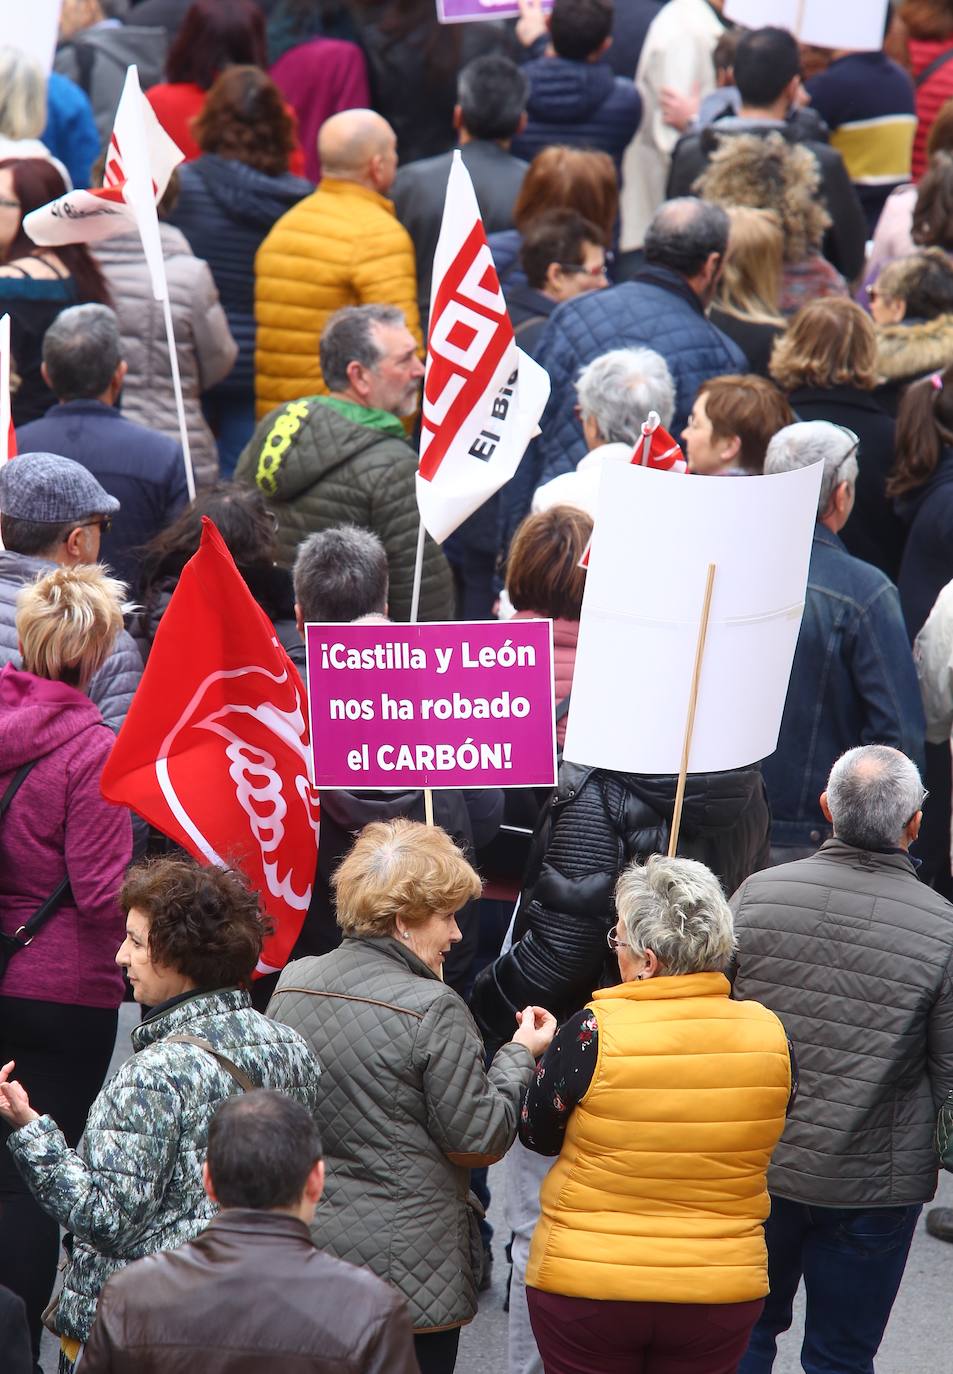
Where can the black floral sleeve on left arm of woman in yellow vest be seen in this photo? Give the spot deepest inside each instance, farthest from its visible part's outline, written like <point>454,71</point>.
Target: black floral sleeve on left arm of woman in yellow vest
<point>560,1083</point>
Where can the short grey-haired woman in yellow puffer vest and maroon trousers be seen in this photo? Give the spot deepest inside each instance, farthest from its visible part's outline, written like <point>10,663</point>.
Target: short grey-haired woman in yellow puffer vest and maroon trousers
<point>664,1101</point>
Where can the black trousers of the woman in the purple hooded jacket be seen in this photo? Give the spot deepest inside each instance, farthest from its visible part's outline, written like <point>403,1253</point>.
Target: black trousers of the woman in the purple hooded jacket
<point>62,1055</point>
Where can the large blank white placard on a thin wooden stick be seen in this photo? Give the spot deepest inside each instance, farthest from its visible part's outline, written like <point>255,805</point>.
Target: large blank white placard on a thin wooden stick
<point>654,538</point>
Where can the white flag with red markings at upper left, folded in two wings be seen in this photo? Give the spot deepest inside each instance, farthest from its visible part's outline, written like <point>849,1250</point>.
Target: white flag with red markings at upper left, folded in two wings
<point>139,163</point>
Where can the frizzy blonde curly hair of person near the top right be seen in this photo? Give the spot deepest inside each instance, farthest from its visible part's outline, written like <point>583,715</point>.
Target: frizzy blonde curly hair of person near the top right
<point>770,174</point>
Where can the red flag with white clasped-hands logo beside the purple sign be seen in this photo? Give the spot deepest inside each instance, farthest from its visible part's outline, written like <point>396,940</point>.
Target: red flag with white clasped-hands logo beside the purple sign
<point>215,748</point>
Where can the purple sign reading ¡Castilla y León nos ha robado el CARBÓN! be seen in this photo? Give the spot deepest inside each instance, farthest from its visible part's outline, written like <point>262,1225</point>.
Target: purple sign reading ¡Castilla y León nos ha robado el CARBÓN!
<point>450,706</point>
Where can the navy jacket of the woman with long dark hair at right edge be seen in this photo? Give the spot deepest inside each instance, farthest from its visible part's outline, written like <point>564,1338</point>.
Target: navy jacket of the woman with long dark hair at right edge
<point>928,564</point>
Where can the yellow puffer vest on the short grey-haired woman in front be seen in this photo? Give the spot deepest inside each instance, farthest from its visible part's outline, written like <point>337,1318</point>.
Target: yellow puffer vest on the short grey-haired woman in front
<point>660,1195</point>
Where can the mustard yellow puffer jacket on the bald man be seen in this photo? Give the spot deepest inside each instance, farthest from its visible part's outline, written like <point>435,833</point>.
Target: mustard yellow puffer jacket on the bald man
<point>340,247</point>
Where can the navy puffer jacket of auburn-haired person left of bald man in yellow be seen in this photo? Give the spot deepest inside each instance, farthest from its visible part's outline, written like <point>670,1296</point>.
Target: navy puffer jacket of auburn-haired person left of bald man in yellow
<point>226,210</point>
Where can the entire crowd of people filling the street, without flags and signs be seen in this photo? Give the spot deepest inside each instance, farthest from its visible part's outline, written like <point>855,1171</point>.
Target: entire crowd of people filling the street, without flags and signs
<point>709,1077</point>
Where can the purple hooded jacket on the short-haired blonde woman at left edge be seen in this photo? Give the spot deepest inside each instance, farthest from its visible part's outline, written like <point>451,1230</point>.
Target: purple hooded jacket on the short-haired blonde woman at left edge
<point>58,821</point>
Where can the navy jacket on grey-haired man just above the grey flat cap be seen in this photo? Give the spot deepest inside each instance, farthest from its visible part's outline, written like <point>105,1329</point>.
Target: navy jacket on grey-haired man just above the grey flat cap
<point>142,469</point>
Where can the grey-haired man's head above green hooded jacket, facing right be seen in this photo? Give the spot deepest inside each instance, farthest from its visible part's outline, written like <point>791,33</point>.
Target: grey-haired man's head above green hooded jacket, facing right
<point>369,357</point>
